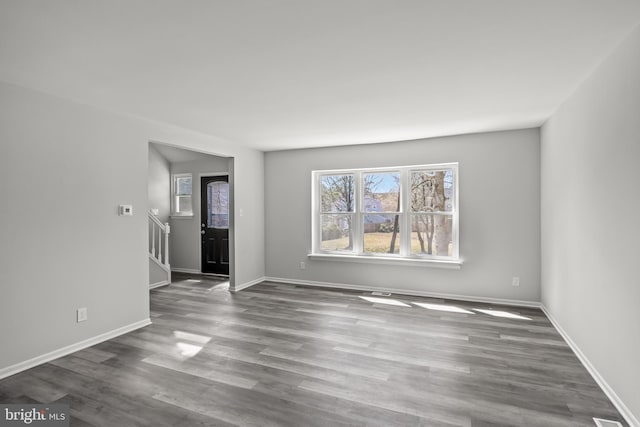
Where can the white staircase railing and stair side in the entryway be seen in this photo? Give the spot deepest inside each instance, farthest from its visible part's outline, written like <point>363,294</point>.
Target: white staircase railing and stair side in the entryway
<point>159,268</point>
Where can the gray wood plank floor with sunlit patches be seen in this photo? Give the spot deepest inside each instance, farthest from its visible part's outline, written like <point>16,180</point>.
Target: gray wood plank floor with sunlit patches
<point>282,355</point>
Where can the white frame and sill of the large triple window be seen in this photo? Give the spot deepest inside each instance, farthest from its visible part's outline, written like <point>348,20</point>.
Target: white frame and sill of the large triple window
<point>404,256</point>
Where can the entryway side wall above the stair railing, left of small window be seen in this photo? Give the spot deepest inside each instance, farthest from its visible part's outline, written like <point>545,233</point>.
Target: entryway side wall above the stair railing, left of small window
<point>159,191</point>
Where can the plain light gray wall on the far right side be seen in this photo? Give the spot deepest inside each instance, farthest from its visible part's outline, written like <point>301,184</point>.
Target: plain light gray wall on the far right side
<point>590,229</point>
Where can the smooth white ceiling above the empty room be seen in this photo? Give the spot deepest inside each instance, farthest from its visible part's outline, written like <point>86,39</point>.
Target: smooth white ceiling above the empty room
<point>283,74</point>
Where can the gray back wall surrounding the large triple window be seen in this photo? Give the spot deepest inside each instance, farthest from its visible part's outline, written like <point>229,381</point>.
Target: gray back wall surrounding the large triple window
<point>499,215</point>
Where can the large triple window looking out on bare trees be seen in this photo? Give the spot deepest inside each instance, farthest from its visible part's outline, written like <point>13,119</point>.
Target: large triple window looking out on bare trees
<point>405,212</point>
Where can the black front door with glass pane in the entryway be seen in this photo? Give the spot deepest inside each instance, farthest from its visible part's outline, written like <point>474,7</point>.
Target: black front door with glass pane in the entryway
<point>214,224</point>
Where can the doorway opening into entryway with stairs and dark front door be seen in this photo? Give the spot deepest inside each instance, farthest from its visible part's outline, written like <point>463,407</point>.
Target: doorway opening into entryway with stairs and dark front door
<point>185,207</point>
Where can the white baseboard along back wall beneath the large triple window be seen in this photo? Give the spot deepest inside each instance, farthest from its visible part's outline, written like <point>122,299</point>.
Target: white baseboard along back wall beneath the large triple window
<point>499,301</point>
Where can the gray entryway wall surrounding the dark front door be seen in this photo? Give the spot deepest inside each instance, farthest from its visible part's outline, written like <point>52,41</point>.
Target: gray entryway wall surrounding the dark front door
<point>185,231</point>
